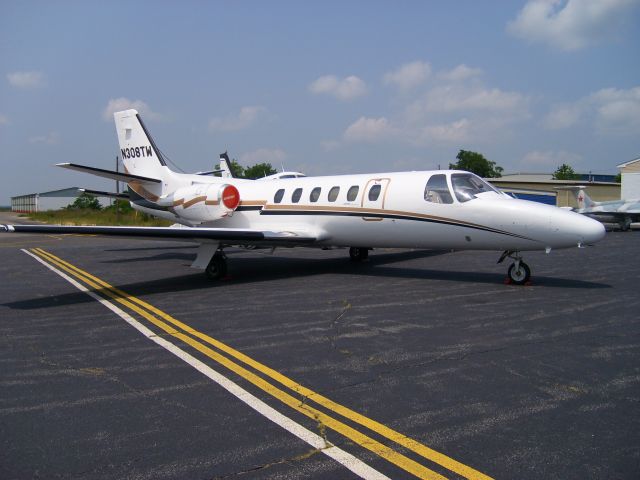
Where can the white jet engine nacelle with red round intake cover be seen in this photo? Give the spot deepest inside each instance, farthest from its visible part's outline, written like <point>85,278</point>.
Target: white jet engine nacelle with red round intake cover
<point>205,203</point>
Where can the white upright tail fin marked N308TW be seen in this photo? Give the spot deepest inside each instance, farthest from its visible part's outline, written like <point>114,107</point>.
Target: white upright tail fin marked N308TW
<point>139,153</point>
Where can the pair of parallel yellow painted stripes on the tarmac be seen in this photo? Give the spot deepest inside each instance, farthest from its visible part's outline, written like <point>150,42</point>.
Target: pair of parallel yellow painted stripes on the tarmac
<point>204,343</point>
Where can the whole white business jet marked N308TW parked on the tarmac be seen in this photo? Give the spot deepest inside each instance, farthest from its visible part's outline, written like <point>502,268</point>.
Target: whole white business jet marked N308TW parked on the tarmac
<point>430,209</point>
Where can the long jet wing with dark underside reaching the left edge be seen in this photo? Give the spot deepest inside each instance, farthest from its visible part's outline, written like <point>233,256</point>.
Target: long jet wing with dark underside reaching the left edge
<point>231,236</point>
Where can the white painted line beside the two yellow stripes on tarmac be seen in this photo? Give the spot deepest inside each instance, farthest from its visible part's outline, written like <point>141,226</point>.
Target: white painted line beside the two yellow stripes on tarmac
<point>346,459</point>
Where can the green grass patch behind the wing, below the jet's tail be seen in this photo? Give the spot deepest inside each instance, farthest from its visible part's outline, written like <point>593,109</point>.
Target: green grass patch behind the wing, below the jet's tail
<point>97,217</point>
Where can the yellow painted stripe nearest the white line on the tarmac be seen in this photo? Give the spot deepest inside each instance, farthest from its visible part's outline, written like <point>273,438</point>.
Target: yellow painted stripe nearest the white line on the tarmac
<point>361,439</point>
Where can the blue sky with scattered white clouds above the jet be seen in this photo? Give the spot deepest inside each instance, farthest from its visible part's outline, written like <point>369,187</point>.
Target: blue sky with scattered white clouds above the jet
<point>325,88</point>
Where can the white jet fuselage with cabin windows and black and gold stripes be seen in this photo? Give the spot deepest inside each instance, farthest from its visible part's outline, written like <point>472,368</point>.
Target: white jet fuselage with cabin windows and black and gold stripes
<point>376,210</point>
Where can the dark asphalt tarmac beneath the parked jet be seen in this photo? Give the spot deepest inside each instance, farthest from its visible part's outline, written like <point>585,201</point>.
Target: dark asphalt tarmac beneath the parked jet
<point>540,381</point>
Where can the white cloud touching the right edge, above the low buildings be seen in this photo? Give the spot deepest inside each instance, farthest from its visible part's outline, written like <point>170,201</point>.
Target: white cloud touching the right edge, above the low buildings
<point>609,111</point>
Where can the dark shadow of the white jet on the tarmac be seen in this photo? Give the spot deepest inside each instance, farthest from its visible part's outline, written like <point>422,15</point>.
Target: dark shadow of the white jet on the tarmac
<point>247,271</point>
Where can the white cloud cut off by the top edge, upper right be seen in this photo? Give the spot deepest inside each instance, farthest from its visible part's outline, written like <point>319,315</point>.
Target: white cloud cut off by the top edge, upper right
<point>572,24</point>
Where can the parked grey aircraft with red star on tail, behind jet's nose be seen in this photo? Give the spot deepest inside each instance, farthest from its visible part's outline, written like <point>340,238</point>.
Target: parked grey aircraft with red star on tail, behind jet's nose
<point>621,212</point>
